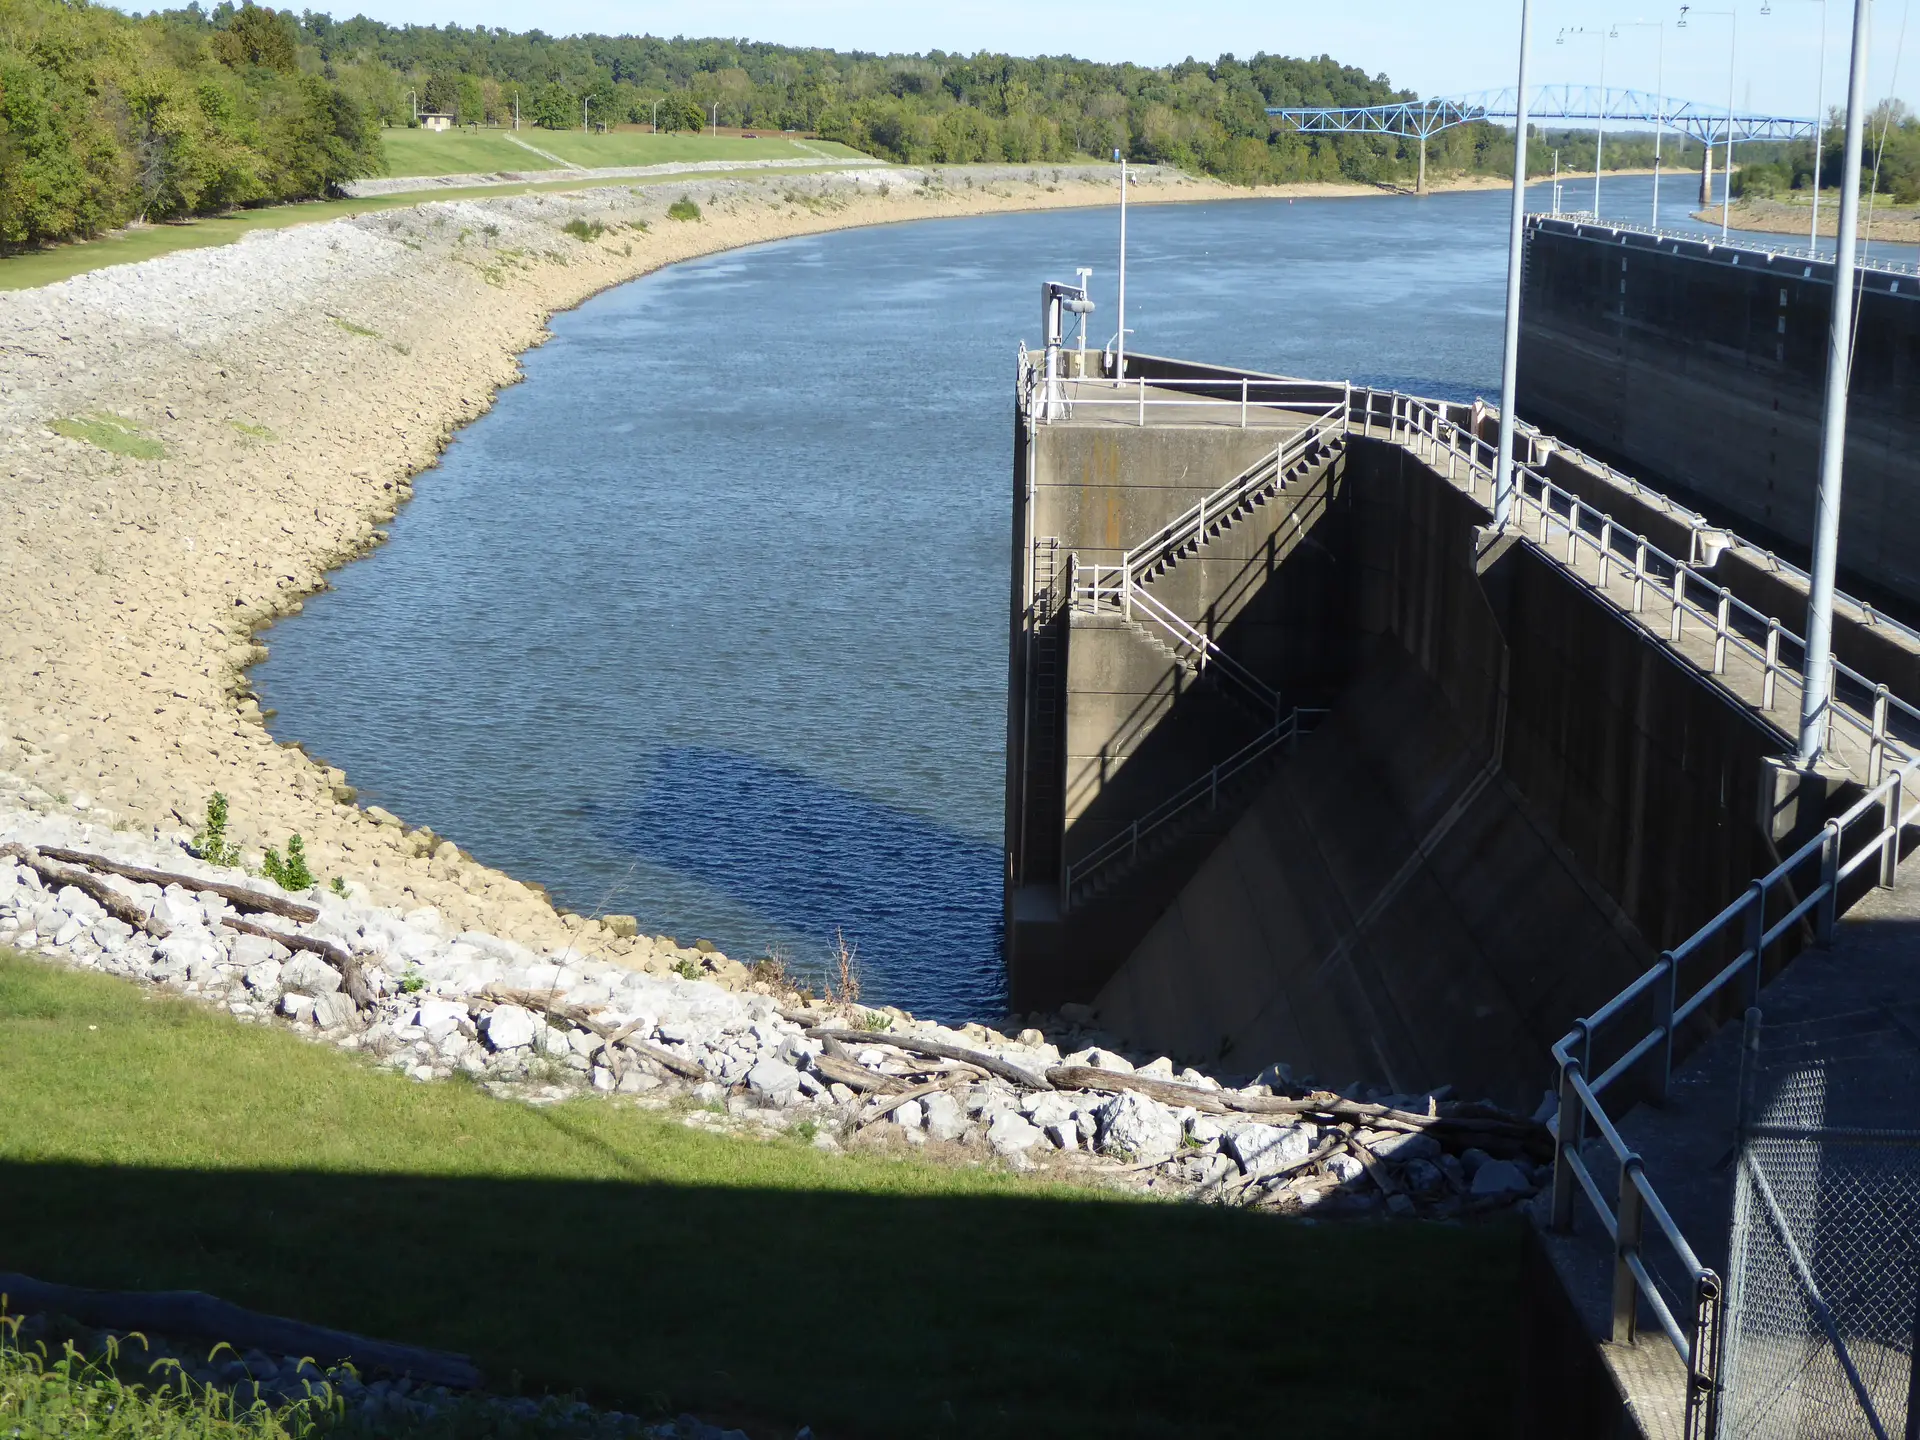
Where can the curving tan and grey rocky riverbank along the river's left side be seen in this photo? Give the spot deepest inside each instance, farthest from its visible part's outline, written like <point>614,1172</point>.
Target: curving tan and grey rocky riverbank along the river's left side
<point>199,439</point>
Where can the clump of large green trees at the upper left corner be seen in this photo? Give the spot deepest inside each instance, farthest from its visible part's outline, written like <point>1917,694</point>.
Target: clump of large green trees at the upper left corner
<point>108,118</point>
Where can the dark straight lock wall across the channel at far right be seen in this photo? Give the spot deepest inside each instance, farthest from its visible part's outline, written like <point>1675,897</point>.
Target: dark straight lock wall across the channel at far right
<point>1702,370</point>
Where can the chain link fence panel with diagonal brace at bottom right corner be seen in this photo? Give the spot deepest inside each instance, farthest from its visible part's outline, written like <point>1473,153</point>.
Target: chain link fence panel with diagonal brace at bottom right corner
<point>1825,1274</point>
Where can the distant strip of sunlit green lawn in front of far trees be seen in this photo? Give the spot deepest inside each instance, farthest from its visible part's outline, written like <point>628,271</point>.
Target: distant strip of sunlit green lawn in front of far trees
<point>471,153</point>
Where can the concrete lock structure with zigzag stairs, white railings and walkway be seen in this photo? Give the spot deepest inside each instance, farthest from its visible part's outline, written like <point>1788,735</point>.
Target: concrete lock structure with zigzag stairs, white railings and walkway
<point>1312,765</point>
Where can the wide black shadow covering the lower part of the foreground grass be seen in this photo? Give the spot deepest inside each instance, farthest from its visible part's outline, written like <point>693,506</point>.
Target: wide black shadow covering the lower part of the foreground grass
<point>861,1314</point>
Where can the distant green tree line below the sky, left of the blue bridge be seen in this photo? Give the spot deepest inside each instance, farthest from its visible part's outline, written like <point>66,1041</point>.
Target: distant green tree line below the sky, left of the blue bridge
<point>936,108</point>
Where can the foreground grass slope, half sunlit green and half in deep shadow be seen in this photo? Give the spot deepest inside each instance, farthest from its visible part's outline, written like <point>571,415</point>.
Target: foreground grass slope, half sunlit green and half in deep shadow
<point>147,1143</point>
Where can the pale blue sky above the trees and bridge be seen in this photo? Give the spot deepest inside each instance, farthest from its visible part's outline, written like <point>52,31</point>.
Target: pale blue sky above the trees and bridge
<point>1437,49</point>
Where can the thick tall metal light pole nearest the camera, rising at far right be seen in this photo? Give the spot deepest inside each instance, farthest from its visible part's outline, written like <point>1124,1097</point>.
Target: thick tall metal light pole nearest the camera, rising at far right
<point>1819,692</point>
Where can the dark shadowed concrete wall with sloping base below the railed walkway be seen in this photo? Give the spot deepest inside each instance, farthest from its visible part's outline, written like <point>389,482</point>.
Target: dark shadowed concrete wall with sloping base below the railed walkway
<point>1510,809</point>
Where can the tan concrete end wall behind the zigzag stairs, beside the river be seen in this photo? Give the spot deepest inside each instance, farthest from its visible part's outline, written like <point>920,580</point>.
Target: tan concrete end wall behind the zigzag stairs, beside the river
<point>1074,765</point>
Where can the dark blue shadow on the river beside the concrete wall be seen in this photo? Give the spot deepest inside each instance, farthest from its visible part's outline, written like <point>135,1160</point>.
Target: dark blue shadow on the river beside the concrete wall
<point>909,892</point>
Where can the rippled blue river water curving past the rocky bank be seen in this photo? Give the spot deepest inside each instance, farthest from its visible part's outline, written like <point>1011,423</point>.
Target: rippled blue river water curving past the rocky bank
<point>706,621</point>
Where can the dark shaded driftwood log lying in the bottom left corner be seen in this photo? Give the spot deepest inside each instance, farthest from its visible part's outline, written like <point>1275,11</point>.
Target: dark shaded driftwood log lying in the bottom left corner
<point>191,1314</point>
